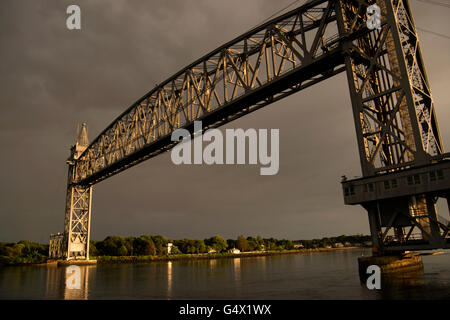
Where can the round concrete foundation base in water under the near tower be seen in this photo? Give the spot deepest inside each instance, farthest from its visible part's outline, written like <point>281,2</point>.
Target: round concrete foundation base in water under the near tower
<point>390,264</point>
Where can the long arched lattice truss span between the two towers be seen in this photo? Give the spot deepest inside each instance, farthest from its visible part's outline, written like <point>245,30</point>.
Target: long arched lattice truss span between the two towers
<point>281,57</point>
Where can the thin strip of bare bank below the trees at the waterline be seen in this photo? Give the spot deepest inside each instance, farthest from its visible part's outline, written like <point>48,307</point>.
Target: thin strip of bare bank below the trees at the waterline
<point>148,259</point>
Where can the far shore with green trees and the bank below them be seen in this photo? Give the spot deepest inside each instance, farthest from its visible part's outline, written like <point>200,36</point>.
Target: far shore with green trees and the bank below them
<point>148,248</point>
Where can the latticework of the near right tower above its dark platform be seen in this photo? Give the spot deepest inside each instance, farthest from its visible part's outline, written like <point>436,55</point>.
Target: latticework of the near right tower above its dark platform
<point>393,108</point>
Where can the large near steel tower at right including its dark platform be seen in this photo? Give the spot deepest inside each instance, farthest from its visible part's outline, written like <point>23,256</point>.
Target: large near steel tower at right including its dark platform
<point>401,152</point>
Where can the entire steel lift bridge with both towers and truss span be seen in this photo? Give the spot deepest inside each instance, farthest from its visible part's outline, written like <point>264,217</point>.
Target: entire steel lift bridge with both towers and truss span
<point>404,167</point>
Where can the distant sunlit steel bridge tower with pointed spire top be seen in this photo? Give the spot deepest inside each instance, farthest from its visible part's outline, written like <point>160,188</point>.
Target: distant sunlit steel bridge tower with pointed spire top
<point>78,206</point>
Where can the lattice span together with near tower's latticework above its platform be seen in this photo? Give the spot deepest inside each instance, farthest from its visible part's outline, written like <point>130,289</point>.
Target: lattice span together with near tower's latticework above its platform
<point>393,108</point>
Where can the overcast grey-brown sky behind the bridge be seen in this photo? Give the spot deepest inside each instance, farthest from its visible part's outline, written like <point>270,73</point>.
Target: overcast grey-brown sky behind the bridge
<point>52,79</point>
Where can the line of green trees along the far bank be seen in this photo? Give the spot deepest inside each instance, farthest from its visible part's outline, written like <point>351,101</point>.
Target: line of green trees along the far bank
<point>147,245</point>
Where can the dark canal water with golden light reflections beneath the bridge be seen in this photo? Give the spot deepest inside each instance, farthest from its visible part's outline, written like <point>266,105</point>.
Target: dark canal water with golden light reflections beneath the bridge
<point>326,275</point>
